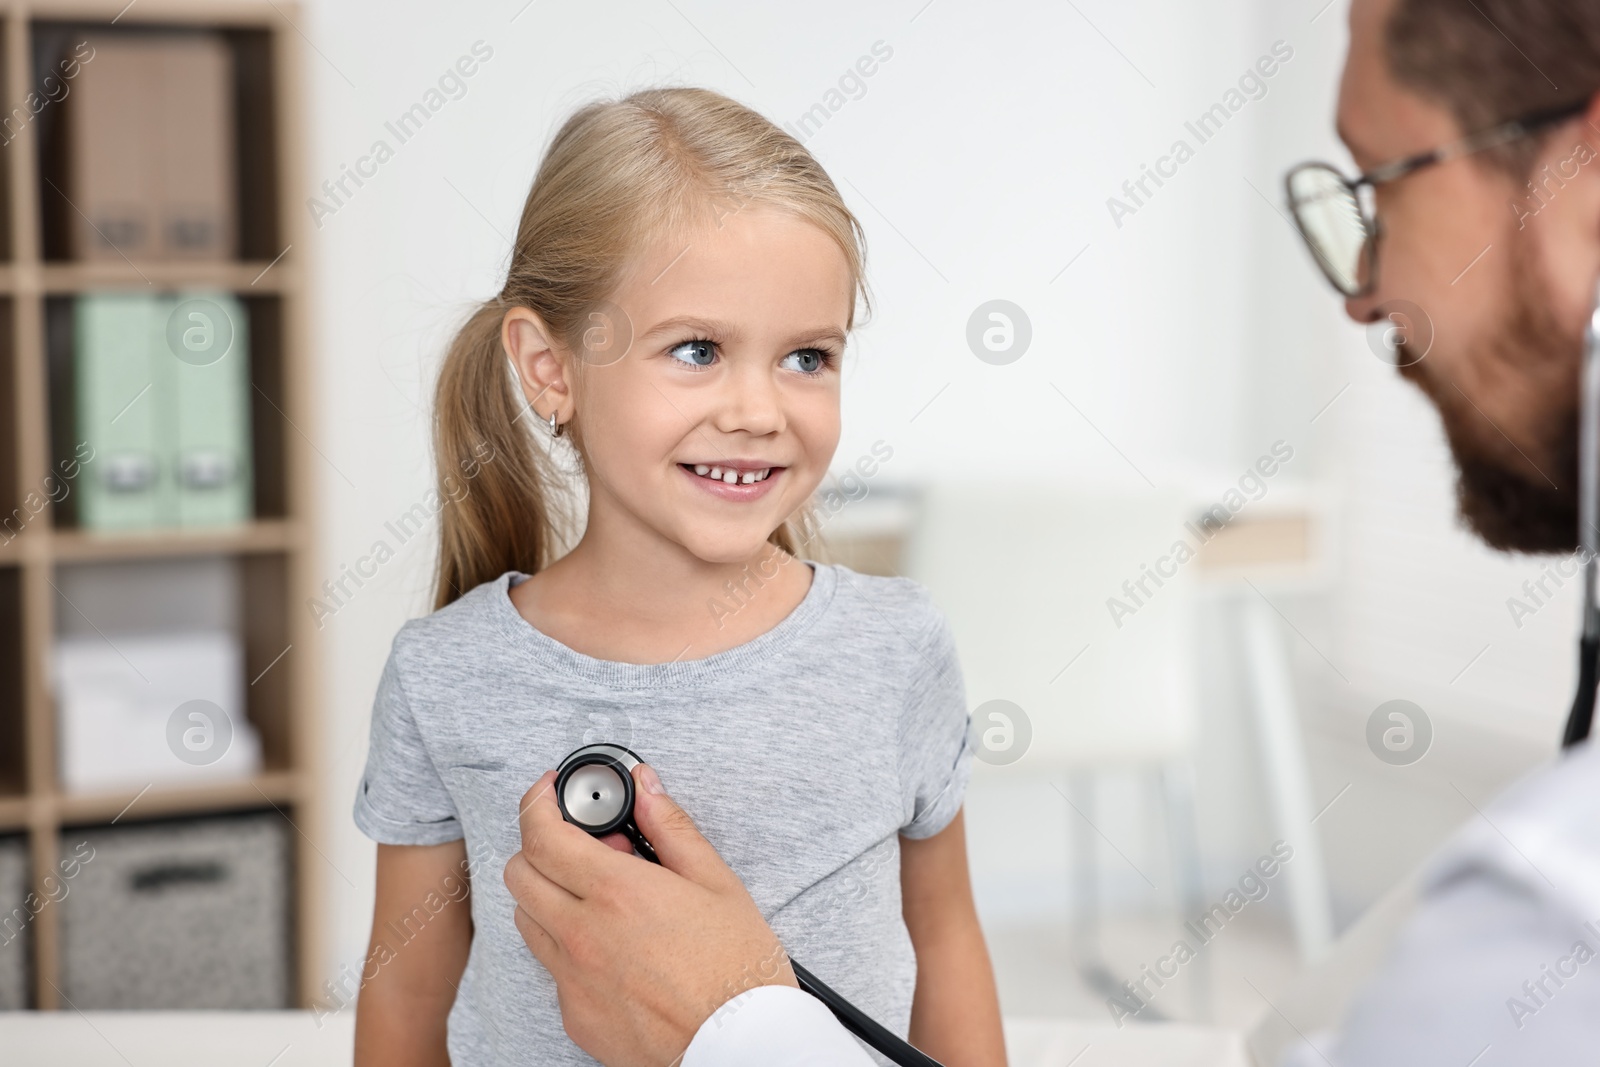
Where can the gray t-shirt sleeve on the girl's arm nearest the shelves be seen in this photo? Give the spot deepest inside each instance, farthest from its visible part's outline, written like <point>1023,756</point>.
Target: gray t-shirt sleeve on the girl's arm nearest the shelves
<point>402,801</point>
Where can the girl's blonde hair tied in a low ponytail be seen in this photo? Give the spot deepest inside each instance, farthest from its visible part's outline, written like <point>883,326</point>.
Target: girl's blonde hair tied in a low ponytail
<point>617,177</point>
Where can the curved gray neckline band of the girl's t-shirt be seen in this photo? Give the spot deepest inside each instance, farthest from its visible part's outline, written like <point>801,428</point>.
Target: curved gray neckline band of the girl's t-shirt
<point>546,652</point>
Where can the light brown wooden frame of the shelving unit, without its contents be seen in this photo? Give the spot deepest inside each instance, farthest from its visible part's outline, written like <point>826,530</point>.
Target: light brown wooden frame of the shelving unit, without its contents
<point>273,553</point>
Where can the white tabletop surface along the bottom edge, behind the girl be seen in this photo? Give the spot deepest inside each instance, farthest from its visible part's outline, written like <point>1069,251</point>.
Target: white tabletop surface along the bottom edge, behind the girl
<point>298,1039</point>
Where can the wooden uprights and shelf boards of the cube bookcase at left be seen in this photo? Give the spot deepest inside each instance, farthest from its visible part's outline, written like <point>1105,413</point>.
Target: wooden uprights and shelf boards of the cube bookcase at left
<point>34,556</point>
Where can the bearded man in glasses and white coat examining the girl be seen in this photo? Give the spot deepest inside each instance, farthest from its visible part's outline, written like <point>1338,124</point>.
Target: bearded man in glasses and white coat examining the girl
<point>1478,130</point>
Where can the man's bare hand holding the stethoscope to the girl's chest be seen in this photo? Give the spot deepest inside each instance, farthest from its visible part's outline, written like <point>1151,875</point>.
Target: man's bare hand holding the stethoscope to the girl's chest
<point>642,956</point>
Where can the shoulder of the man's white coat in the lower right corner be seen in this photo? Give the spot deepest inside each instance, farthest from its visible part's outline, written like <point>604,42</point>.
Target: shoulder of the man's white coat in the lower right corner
<point>1500,964</point>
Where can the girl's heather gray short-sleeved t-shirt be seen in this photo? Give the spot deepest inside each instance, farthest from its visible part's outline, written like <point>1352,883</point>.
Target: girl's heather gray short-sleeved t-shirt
<point>802,756</point>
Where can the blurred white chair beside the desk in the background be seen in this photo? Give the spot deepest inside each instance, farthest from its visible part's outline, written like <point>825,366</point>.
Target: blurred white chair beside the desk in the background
<point>1074,607</point>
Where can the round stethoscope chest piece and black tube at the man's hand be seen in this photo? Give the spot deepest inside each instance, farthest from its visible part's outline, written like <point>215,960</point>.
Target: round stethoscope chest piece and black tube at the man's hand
<point>594,789</point>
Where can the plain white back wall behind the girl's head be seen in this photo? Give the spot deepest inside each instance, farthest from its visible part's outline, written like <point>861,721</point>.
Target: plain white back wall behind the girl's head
<point>983,151</point>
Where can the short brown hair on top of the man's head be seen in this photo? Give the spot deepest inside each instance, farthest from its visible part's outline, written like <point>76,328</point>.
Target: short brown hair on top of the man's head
<point>1490,62</point>
